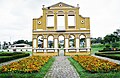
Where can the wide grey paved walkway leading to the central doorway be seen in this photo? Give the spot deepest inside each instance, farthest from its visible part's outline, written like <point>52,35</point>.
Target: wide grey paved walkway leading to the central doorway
<point>62,68</point>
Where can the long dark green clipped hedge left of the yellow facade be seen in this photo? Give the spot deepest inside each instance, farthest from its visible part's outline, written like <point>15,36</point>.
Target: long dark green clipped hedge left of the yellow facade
<point>5,59</point>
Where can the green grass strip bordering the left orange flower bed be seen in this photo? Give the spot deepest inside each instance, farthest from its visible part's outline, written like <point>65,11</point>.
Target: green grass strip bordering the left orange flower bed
<point>39,74</point>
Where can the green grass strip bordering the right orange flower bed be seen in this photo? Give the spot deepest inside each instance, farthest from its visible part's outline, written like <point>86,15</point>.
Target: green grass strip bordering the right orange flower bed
<point>85,74</point>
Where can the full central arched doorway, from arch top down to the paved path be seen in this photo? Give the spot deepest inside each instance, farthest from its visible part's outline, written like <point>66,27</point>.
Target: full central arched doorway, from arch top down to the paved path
<point>61,45</point>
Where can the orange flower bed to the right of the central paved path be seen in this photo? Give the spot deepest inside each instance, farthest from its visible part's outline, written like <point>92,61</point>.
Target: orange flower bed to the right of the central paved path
<point>94,65</point>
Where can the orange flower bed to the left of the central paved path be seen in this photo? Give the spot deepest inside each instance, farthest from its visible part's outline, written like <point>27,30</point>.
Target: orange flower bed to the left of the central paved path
<point>27,65</point>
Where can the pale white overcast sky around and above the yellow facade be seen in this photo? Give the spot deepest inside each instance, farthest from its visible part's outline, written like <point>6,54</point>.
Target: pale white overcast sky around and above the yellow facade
<point>16,16</point>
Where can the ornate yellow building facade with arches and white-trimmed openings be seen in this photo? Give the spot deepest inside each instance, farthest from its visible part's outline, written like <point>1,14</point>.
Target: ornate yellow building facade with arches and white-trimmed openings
<point>61,31</point>
